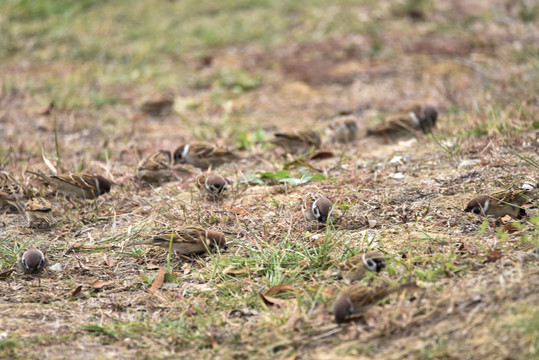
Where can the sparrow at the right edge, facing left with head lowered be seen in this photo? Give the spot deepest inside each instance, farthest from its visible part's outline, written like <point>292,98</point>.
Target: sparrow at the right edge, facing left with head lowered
<point>501,203</point>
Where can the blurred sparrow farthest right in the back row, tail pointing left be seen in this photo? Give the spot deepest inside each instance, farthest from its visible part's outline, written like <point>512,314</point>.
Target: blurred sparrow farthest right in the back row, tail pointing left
<point>417,118</point>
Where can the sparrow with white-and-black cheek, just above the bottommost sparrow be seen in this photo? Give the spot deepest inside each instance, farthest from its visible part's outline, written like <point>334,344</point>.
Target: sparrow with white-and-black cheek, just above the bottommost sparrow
<point>356,267</point>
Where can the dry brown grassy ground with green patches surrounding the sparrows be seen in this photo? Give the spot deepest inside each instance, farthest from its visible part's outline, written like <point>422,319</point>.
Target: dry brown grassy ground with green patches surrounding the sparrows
<point>238,71</point>
